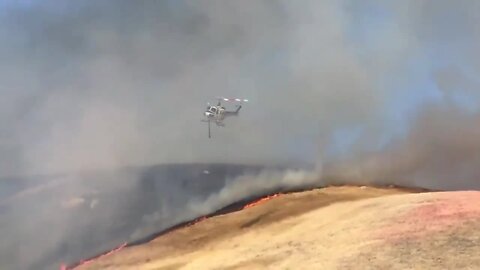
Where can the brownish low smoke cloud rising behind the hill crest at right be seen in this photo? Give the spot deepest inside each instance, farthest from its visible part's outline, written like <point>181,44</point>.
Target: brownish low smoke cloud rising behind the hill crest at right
<point>440,152</point>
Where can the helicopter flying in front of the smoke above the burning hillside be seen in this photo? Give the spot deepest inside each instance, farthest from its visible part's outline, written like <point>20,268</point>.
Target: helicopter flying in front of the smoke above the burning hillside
<point>218,113</point>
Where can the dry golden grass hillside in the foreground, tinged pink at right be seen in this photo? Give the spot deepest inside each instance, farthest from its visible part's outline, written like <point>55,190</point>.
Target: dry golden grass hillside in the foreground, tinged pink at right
<point>330,228</point>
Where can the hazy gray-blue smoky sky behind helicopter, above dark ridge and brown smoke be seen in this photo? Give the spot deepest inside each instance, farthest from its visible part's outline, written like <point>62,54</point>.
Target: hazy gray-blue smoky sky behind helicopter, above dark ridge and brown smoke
<point>110,83</point>
